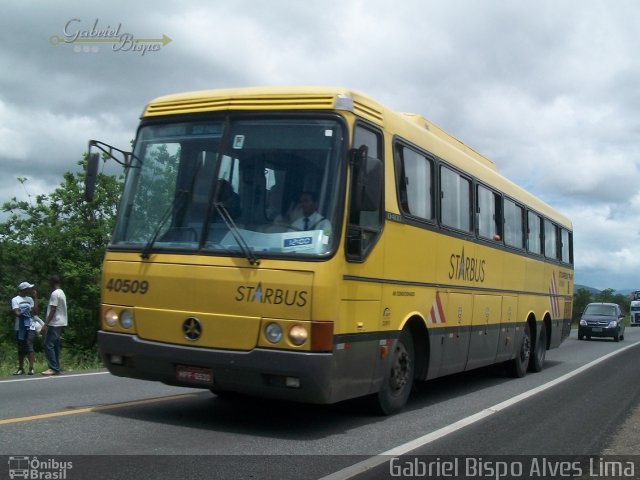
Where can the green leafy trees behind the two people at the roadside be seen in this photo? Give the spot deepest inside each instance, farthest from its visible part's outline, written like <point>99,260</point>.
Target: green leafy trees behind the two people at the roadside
<point>61,233</point>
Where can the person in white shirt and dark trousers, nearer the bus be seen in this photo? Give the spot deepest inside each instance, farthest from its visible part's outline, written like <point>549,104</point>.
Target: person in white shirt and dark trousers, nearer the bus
<point>55,321</point>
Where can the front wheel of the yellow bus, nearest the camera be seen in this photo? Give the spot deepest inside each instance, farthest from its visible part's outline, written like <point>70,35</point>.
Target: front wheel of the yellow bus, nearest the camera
<point>396,387</point>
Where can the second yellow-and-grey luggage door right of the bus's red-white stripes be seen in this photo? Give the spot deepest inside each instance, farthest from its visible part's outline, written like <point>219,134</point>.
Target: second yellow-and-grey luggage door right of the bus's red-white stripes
<point>485,330</point>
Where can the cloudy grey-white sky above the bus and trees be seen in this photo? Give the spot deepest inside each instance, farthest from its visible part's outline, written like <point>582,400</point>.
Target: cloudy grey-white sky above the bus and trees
<point>549,90</point>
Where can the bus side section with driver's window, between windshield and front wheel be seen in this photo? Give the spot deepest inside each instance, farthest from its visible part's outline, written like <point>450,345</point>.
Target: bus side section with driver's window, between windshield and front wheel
<point>358,363</point>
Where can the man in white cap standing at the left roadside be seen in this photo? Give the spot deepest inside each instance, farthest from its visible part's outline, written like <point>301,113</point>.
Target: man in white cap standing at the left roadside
<point>24,308</point>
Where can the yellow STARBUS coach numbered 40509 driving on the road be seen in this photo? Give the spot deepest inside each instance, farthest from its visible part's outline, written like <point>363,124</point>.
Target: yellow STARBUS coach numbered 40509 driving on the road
<point>310,244</point>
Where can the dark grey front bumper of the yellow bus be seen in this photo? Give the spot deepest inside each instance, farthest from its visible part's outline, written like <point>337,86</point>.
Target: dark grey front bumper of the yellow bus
<point>259,372</point>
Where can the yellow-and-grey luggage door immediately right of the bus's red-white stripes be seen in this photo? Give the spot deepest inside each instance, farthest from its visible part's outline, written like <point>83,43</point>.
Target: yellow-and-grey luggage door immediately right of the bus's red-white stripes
<point>455,337</point>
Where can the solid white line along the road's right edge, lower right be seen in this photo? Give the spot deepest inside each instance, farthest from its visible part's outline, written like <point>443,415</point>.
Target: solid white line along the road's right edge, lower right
<point>381,458</point>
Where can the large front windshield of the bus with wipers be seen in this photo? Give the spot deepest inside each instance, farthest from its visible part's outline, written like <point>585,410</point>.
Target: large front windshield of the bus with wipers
<point>250,187</point>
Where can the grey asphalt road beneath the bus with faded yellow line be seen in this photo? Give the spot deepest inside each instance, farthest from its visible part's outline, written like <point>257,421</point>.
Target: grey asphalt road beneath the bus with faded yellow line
<point>121,426</point>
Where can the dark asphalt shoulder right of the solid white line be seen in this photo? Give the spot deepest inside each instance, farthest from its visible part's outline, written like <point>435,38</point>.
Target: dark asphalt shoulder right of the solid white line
<point>577,420</point>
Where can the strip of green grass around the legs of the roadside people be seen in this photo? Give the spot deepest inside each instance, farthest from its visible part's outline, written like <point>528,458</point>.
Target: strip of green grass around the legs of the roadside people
<point>70,359</point>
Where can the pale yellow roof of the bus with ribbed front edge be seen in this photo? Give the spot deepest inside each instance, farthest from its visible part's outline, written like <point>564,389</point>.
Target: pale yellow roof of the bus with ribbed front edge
<point>412,127</point>
